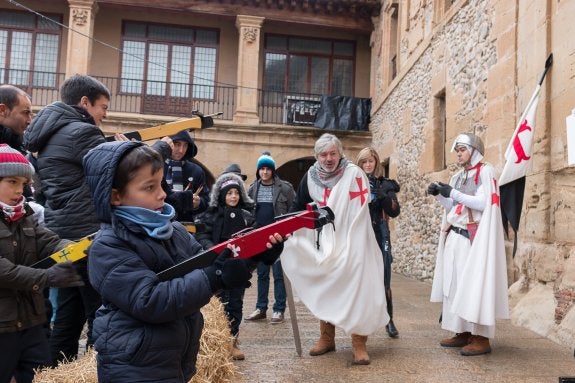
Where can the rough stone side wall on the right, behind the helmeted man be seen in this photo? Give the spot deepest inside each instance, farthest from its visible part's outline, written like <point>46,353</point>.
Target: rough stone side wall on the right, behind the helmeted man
<point>442,67</point>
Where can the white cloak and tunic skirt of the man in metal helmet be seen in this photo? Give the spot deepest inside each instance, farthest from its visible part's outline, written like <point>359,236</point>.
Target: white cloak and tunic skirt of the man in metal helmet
<point>475,289</point>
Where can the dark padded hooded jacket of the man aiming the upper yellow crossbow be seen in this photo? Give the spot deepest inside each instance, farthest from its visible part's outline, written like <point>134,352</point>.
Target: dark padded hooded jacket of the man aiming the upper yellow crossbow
<point>61,135</point>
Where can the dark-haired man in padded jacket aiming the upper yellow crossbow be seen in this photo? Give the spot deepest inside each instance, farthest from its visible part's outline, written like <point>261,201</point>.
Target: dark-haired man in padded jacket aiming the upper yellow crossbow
<point>61,134</point>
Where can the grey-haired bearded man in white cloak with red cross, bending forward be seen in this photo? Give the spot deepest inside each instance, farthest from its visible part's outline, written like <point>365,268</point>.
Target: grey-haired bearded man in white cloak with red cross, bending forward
<point>339,274</point>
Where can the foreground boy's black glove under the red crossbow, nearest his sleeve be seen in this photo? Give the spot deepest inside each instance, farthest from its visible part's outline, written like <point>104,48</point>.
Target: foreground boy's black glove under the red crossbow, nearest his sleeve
<point>228,273</point>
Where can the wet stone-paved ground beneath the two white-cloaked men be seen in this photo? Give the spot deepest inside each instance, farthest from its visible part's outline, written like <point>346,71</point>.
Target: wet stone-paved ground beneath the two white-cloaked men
<point>518,355</point>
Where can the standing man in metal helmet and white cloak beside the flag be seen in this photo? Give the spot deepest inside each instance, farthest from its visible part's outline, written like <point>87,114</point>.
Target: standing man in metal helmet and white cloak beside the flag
<point>470,276</point>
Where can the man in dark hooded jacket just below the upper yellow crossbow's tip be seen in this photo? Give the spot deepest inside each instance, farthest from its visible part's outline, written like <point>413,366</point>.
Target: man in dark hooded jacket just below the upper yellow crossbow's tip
<point>184,181</point>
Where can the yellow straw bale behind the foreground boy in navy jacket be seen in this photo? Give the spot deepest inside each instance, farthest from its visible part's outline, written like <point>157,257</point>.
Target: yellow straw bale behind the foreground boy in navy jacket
<point>213,365</point>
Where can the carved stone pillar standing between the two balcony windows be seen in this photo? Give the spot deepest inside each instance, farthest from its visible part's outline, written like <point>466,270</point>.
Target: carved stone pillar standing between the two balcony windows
<point>248,69</point>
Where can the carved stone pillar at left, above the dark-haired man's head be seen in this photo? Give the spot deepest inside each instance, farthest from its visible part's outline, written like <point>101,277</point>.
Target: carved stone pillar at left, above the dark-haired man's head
<point>79,53</point>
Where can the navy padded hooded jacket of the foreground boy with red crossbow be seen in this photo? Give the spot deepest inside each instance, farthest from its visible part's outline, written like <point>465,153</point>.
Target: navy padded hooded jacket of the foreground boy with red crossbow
<point>146,330</point>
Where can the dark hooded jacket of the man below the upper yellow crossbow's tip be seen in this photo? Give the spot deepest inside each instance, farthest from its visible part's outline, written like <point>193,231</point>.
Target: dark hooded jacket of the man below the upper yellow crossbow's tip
<point>193,177</point>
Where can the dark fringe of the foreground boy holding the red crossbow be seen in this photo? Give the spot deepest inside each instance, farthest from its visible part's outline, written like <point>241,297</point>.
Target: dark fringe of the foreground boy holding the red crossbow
<point>133,161</point>
